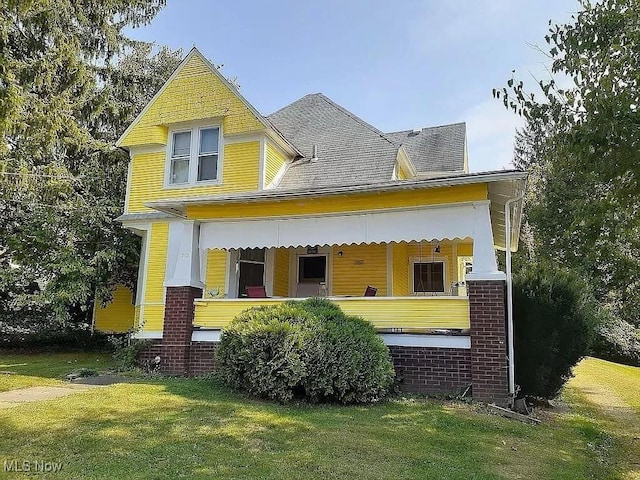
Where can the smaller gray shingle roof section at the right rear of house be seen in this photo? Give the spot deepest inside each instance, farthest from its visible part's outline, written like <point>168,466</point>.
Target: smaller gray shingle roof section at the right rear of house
<point>434,149</point>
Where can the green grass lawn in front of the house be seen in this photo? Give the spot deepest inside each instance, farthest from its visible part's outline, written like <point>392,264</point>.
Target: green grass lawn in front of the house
<point>179,428</point>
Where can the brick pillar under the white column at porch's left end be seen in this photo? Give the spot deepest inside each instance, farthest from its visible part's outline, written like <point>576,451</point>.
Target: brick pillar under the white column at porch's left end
<point>178,326</point>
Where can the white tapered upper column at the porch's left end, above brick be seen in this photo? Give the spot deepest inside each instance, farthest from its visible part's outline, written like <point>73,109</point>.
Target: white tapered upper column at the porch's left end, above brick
<point>183,255</point>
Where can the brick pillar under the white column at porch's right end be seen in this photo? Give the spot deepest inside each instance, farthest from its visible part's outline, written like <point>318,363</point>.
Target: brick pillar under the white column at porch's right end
<point>489,367</point>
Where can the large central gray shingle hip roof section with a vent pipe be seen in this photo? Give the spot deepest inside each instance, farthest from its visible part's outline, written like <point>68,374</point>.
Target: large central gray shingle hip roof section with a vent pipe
<point>350,151</point>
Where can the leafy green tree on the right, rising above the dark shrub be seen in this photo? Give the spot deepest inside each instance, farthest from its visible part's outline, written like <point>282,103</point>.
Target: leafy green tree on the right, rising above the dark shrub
<point>581,145</point>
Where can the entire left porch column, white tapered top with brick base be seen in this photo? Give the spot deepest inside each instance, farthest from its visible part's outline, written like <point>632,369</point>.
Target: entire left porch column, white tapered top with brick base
<point>183,285</point>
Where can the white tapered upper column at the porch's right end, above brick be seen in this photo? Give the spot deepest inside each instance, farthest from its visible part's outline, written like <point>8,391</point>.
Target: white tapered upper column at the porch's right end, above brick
<point>485,266</point>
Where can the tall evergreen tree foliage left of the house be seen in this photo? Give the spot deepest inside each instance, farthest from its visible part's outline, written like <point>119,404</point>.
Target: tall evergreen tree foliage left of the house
<point>70,83</point>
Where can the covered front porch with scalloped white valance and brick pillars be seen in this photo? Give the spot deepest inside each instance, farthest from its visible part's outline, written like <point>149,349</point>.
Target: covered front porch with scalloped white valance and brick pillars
<point>428,252</point>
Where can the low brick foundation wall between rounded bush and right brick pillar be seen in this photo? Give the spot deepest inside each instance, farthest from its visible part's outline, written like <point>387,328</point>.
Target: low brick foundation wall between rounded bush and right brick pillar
<point>431,370</point>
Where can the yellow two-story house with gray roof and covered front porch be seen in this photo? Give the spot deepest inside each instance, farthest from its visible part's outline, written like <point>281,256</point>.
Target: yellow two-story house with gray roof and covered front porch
<point>237,209</point>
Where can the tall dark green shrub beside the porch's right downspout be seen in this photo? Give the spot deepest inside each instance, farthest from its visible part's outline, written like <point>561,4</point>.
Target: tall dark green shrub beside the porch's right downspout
<point>555,320</point>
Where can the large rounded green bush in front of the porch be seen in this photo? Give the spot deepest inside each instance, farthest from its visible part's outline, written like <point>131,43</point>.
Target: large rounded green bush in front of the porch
<point>307,350</point>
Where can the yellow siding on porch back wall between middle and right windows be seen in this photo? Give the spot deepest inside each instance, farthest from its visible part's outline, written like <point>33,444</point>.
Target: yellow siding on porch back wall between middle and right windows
<point>358,267</point>
